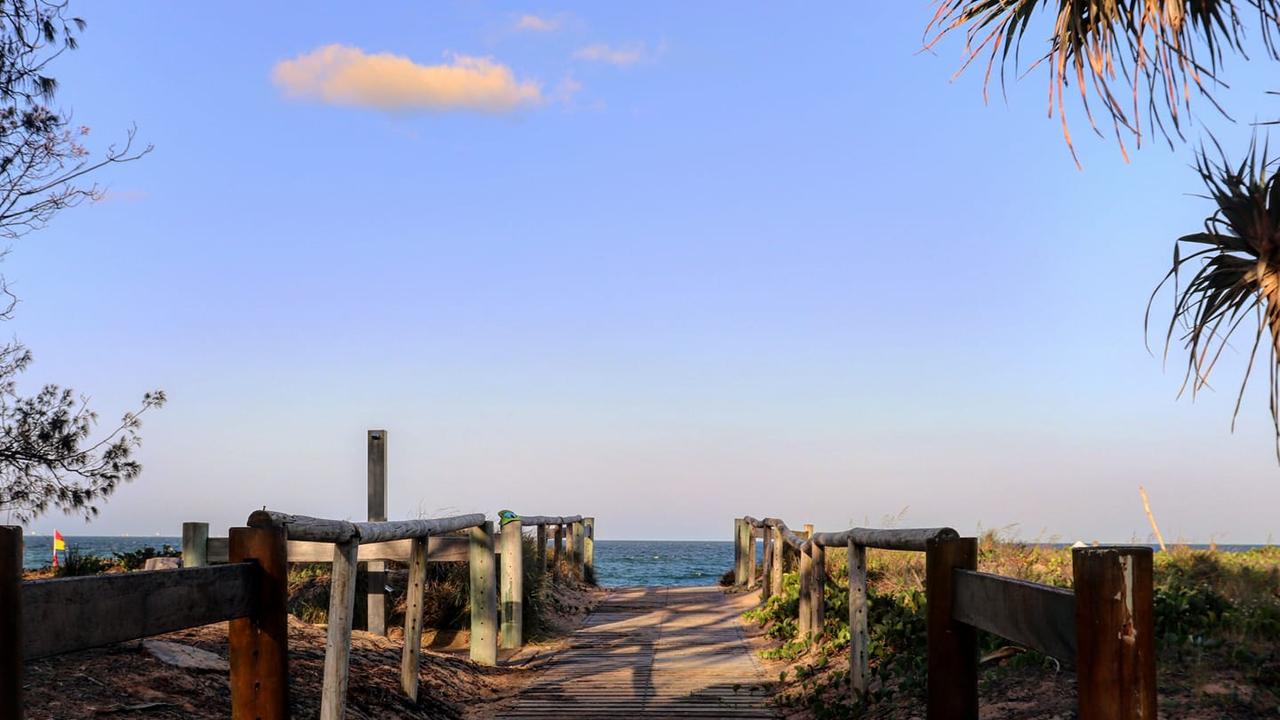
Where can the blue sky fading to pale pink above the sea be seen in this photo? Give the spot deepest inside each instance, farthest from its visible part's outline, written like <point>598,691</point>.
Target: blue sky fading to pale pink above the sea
<point>664,265</point>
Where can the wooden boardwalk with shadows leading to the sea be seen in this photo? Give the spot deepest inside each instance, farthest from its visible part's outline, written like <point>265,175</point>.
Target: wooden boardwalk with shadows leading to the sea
<point>655,653</point>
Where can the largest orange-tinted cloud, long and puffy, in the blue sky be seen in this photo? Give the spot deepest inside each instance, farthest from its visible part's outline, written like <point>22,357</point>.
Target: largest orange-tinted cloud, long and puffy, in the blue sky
<point>340,75</point>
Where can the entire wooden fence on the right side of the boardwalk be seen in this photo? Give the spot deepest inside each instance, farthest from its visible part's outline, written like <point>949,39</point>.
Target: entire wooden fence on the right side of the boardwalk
<point>1105,628</point>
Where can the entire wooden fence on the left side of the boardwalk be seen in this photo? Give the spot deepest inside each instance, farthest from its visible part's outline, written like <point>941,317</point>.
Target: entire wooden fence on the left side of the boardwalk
<point>244,578</point>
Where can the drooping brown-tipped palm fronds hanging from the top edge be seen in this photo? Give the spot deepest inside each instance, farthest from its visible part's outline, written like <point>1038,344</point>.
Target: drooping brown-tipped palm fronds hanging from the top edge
<point>1141,61</point>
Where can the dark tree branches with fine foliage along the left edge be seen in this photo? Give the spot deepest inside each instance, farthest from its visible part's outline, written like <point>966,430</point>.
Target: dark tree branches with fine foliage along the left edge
<point>49,454</point>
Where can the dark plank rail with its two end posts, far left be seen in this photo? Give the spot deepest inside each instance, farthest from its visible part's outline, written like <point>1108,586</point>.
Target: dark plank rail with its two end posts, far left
<point>47,618</point>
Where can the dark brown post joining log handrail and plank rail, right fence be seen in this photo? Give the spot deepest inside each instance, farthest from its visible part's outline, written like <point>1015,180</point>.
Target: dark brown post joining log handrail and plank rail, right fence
<point>953,663</point>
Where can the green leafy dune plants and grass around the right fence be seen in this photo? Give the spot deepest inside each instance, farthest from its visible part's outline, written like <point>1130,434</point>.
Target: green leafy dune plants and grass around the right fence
<point>1218,626</point>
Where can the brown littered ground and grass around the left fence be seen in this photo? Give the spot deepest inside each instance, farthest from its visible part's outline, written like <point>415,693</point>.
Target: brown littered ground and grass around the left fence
<point>126,681</point>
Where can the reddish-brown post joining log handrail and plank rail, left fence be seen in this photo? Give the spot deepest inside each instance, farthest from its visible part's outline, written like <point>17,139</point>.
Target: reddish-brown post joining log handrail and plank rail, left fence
<point>259,645</point>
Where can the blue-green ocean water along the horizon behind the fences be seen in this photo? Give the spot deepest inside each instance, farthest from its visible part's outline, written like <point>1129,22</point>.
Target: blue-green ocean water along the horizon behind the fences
<point>618,563</point>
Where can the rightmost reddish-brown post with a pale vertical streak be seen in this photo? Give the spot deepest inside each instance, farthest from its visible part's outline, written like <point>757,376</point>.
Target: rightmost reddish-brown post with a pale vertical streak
<point>1116,666</point>
